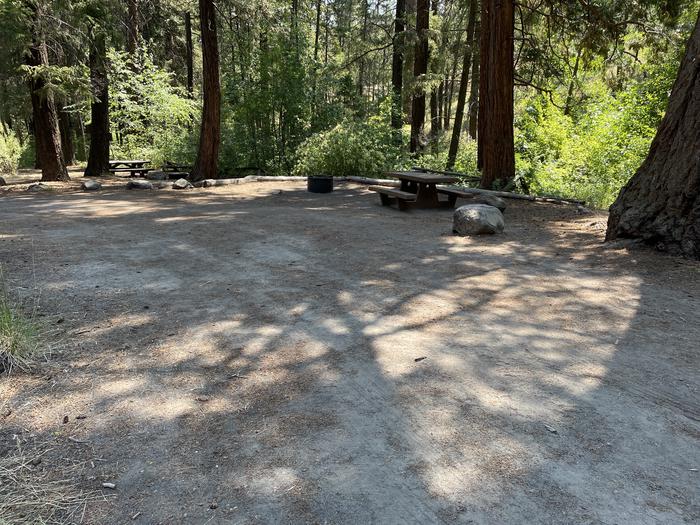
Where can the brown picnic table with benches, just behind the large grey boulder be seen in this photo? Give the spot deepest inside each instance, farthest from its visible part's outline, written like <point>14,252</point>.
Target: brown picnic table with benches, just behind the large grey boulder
<point>418,190</point>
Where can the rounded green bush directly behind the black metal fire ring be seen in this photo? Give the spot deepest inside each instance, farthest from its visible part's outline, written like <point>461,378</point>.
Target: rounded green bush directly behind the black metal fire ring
<point>351,148</point>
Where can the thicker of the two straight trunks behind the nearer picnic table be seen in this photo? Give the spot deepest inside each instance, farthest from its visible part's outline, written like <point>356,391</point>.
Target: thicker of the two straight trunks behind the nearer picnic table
<point>420,69</point>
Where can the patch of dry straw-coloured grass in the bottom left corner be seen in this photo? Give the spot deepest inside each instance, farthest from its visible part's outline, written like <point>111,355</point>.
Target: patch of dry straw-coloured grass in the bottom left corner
<point>28,494</point>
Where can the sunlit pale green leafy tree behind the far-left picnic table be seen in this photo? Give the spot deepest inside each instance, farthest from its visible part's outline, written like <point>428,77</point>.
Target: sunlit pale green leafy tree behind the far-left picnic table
<point>150,117</point>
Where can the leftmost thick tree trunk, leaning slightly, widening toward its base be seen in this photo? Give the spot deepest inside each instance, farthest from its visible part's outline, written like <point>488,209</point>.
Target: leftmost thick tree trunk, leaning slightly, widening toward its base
<point>47,134</point>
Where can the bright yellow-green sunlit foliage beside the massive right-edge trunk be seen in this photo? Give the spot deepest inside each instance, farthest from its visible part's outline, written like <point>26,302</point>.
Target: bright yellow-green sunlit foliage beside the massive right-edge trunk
<point>592,154</point>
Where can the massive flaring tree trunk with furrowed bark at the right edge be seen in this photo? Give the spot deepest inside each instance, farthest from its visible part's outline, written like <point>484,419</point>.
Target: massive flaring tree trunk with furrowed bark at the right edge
<point>661,203</point>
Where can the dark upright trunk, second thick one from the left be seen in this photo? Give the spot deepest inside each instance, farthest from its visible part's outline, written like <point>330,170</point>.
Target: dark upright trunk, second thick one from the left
<point>98,158</point>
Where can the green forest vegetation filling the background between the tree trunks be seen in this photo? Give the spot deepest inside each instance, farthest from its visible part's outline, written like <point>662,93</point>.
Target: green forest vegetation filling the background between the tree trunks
<point>307,88</point>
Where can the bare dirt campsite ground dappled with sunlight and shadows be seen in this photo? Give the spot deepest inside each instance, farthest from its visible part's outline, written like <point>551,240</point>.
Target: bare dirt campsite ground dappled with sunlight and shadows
<point>259,354</point>
